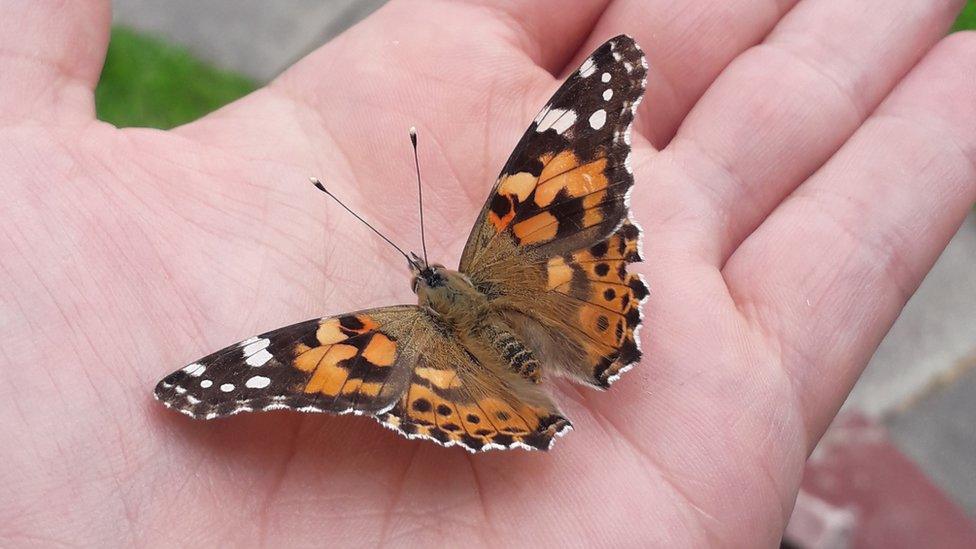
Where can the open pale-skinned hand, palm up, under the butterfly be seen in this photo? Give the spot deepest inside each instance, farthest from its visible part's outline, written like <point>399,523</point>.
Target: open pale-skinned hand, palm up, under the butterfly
<point>793,196</point>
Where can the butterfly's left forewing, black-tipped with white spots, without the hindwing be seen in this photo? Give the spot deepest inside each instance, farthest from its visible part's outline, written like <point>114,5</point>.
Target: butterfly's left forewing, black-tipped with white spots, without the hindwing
<point>358,362</point>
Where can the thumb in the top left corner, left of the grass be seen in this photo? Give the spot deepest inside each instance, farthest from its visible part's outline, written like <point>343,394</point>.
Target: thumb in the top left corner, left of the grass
<point>51,54</point>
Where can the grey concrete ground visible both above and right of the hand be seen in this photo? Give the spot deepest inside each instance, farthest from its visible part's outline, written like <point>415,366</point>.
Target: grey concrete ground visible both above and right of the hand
<point>922,381</point>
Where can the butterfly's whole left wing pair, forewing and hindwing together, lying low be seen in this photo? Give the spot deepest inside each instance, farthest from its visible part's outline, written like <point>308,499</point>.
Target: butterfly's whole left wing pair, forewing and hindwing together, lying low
<point>402,365</point>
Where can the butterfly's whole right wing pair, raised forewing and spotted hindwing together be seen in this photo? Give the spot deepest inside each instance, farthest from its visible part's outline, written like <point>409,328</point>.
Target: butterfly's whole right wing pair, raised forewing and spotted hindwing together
<point>552,243</point>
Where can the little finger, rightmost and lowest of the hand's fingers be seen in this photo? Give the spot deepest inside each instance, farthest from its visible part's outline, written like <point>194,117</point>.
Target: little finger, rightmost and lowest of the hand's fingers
<point>830,270</point>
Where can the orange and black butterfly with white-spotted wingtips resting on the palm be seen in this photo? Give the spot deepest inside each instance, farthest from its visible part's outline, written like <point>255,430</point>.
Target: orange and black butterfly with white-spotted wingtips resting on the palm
<point>542,290</point>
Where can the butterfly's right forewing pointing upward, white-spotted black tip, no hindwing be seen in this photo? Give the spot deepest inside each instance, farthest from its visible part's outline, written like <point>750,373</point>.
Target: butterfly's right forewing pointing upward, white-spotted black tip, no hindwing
<point>565,185</point>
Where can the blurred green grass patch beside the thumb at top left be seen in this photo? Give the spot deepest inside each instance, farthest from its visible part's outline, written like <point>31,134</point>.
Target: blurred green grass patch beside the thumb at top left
<point>149,82</point>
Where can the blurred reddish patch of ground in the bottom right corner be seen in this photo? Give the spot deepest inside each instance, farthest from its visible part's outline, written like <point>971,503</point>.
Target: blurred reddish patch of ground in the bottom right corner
<point>860,492</point>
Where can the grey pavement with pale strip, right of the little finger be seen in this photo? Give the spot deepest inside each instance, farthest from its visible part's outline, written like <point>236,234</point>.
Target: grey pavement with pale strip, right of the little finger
<point>922,381</point>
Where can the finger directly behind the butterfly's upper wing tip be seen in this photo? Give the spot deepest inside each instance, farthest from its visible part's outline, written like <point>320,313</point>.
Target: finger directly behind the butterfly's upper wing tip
<point>687,44</point>
